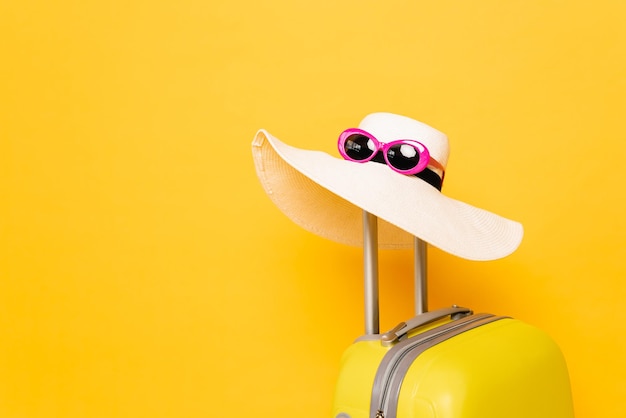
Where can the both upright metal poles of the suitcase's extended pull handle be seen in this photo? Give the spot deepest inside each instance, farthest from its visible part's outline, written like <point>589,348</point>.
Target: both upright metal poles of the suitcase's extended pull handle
<point>370,269</point>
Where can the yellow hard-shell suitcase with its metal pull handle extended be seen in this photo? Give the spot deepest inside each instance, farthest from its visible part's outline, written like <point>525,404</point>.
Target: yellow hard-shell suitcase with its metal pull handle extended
<point>448,363</point>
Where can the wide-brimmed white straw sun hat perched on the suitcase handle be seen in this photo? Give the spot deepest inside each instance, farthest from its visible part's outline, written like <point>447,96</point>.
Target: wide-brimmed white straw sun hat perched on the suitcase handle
<point>327,195</point>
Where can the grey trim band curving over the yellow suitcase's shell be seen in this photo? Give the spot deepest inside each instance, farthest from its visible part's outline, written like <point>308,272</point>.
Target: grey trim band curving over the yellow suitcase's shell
<point>396,363</point>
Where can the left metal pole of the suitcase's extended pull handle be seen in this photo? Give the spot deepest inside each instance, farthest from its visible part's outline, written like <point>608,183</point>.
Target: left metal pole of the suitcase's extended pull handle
<point>370,269</point>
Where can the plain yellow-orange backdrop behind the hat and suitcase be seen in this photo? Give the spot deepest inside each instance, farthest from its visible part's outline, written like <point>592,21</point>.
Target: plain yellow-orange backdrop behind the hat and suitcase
<point>143,271</point>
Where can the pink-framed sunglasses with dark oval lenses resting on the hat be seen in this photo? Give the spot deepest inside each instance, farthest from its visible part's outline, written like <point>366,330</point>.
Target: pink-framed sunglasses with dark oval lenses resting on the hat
<point>405,156</point>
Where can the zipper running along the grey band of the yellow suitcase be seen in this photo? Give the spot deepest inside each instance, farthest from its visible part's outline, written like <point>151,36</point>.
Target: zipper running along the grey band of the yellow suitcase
<point>391,370</point>
